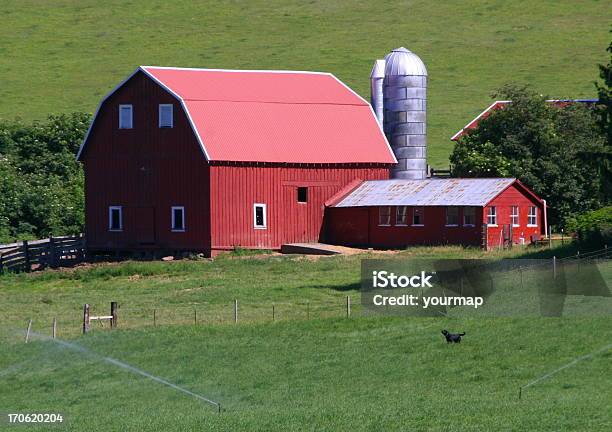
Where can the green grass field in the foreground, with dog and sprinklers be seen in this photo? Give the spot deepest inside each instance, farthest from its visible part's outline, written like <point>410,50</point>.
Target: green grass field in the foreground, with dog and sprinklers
<point>328,372</point>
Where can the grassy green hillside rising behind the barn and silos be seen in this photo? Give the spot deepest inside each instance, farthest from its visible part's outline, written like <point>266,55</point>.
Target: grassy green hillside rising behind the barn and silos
<point>65,55</point>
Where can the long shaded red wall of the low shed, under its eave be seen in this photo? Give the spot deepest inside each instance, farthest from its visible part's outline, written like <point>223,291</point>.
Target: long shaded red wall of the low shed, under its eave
<point>358,226</point>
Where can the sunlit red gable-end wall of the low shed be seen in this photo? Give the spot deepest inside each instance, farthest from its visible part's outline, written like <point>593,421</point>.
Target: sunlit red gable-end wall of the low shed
<point>512,196</point>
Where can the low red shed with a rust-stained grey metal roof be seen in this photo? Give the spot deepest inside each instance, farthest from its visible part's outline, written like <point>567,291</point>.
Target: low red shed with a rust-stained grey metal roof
<point>488,212</point>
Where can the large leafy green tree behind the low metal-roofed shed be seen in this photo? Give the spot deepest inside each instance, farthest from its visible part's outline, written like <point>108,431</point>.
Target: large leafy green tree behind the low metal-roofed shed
<point>559,152</point>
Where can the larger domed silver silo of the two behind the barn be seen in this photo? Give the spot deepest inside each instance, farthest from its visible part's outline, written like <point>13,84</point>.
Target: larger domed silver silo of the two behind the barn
<point>404,90</point>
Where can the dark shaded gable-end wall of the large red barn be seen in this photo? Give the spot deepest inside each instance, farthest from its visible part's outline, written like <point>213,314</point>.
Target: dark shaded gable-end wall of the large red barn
<point>147,170</point>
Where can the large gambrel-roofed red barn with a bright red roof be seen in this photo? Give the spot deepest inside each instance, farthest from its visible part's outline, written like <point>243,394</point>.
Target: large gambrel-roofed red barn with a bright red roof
<point>208,160</point>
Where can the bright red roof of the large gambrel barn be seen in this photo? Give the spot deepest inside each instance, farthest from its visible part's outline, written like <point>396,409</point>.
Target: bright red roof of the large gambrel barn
<point>276,116</point>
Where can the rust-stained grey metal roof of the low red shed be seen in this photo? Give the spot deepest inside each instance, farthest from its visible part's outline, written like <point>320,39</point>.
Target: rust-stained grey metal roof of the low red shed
<point>428,192</point>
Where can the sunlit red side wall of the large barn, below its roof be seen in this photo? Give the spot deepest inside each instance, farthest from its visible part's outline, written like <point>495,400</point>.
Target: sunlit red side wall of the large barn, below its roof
<point>234,190</point>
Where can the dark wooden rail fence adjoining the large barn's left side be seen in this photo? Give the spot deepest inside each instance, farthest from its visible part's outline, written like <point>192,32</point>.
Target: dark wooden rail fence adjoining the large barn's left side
<point>35,254</point>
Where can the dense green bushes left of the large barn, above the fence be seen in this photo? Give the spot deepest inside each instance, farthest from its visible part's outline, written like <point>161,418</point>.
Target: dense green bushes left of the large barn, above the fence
<point>41,183</point>
